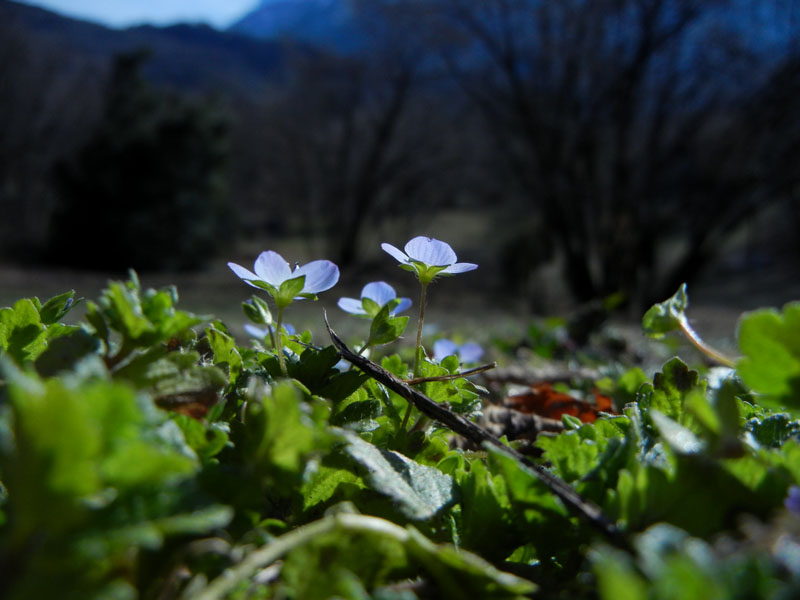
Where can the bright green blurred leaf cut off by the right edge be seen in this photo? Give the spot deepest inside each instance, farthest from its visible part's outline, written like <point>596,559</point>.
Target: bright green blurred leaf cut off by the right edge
<point>770,345</point>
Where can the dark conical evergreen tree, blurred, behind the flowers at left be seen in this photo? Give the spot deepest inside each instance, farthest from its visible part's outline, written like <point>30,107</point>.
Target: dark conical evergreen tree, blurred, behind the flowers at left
<point>150,184</point>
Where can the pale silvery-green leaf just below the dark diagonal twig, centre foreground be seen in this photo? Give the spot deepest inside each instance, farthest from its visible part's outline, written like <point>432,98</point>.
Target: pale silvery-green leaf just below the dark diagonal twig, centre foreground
<point>420,492</point>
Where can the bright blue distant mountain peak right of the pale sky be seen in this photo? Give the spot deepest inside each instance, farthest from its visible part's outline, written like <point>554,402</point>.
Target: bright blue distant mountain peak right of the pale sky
<point>329,23</point>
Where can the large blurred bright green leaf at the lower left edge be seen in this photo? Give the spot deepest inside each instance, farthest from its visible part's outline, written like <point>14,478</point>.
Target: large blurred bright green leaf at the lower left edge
<point>71,445</point>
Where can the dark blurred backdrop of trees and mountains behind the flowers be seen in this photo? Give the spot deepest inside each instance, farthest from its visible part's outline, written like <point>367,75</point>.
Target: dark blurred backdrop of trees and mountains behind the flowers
<point>621,144</point>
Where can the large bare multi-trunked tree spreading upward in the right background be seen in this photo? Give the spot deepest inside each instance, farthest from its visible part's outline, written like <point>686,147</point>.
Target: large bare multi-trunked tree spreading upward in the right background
<point>606,111</point>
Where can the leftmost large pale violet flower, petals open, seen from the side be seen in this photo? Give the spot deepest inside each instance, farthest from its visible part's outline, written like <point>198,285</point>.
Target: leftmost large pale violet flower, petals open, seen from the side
<point>272,271</point>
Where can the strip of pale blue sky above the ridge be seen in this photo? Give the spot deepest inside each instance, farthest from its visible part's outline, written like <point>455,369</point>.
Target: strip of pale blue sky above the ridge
<point>123,13</point>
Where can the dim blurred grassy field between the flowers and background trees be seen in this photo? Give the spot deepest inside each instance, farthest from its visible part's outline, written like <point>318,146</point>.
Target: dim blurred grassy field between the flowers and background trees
<point>473,305</point>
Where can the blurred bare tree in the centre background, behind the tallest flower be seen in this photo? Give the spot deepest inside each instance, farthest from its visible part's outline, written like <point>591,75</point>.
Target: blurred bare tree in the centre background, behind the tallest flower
<point>352,137</point>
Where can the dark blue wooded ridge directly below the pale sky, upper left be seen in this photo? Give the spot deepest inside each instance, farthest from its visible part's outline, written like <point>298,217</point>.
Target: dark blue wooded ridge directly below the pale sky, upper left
<point>190,57</point>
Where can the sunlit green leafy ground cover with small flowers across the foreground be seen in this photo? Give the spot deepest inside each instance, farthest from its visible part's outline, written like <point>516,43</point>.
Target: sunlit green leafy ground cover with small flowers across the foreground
<point>146,453</point>
